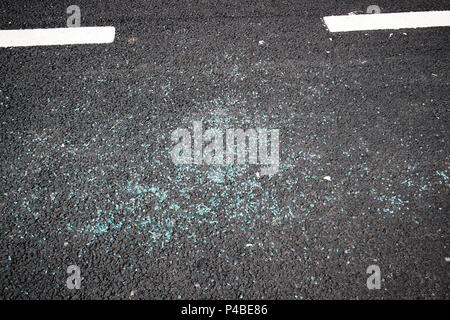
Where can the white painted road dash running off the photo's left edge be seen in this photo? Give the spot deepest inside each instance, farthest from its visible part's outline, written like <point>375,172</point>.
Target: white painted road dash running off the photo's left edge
<point>56,36</point>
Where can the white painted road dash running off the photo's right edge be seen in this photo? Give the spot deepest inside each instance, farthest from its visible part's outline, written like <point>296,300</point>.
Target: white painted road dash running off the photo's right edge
<point>381,21</point>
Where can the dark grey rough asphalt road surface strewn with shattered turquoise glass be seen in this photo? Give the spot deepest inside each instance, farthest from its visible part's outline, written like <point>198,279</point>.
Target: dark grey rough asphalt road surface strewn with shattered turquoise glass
<point>87,178</point>
